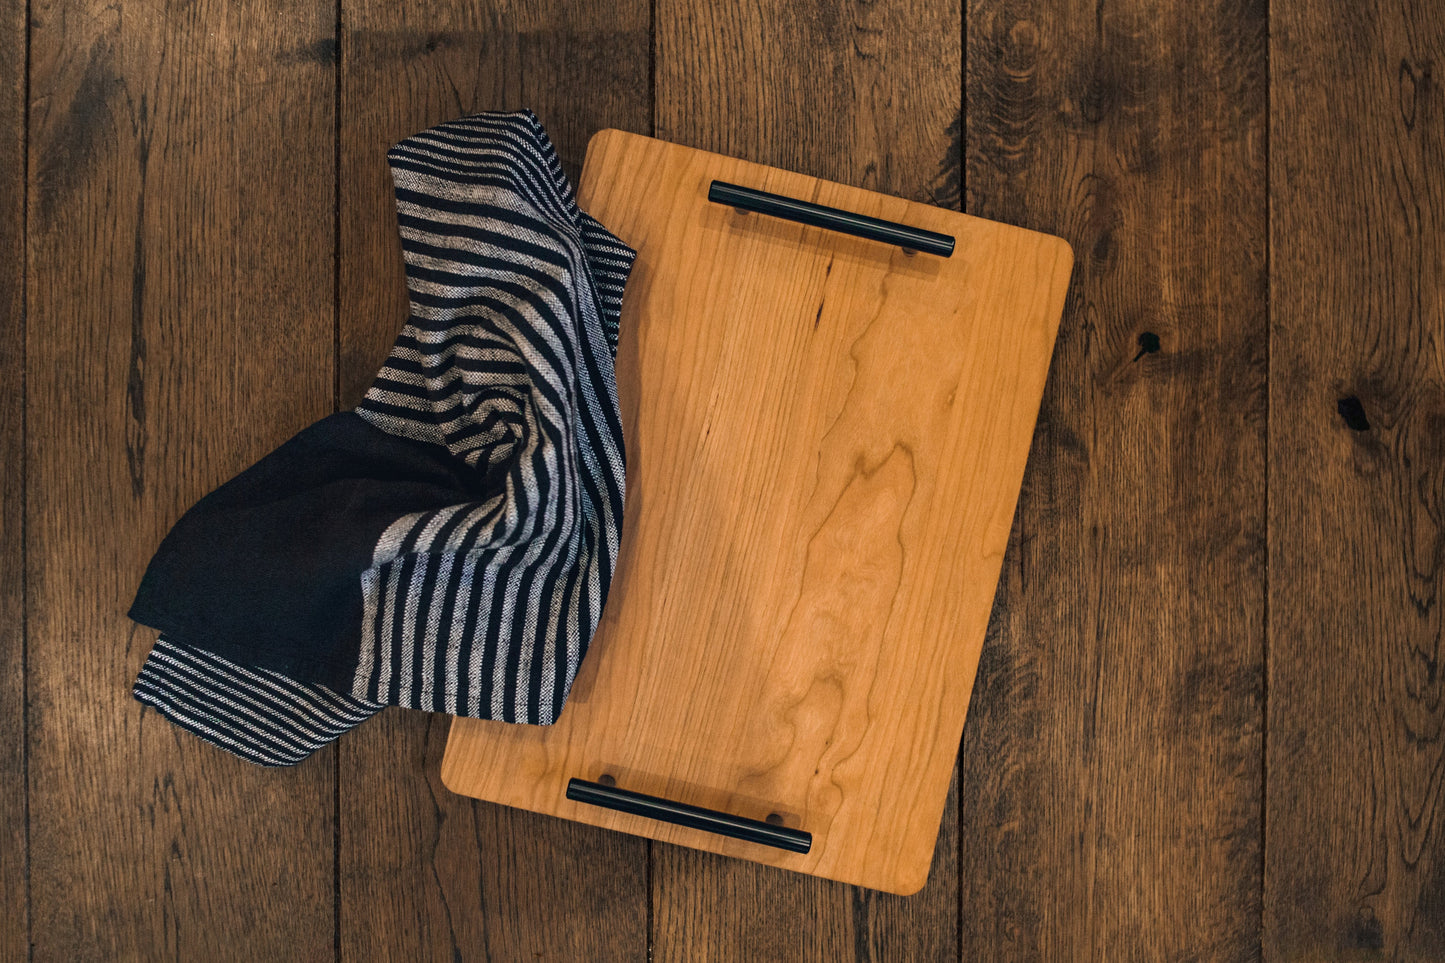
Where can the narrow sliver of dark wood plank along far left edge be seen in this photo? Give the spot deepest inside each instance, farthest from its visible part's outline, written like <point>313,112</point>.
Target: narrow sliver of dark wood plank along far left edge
<point>14,904</point>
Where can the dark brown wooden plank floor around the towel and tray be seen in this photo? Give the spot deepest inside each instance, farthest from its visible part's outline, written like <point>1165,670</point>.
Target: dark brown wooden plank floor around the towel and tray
<point>1210,719</point>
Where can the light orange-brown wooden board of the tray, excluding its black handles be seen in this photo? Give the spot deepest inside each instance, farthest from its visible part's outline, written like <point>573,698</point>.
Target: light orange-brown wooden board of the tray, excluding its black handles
<point>826,443</point>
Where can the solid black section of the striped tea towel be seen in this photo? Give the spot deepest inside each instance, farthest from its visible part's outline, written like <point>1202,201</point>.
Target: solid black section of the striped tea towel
<point>267,569</point>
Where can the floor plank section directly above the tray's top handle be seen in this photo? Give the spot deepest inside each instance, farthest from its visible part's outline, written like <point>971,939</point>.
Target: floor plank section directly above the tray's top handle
<point>859,93</point>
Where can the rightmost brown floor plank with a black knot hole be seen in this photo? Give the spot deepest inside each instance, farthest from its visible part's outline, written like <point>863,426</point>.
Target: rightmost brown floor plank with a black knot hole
<point>1356,821</point>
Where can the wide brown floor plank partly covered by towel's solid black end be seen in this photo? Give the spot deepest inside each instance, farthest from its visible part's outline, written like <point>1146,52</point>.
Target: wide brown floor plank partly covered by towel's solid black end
<point>181,326</point>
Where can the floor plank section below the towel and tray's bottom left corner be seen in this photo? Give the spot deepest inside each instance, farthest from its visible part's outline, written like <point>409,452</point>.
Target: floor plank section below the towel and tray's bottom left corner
<point>430,876</point>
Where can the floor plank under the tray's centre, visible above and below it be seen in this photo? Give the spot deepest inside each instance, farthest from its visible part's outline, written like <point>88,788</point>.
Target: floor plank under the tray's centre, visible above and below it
<point>860,95</point>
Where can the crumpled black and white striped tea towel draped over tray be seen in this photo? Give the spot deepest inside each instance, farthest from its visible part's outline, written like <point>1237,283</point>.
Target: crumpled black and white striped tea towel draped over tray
<point>449,544</point>
